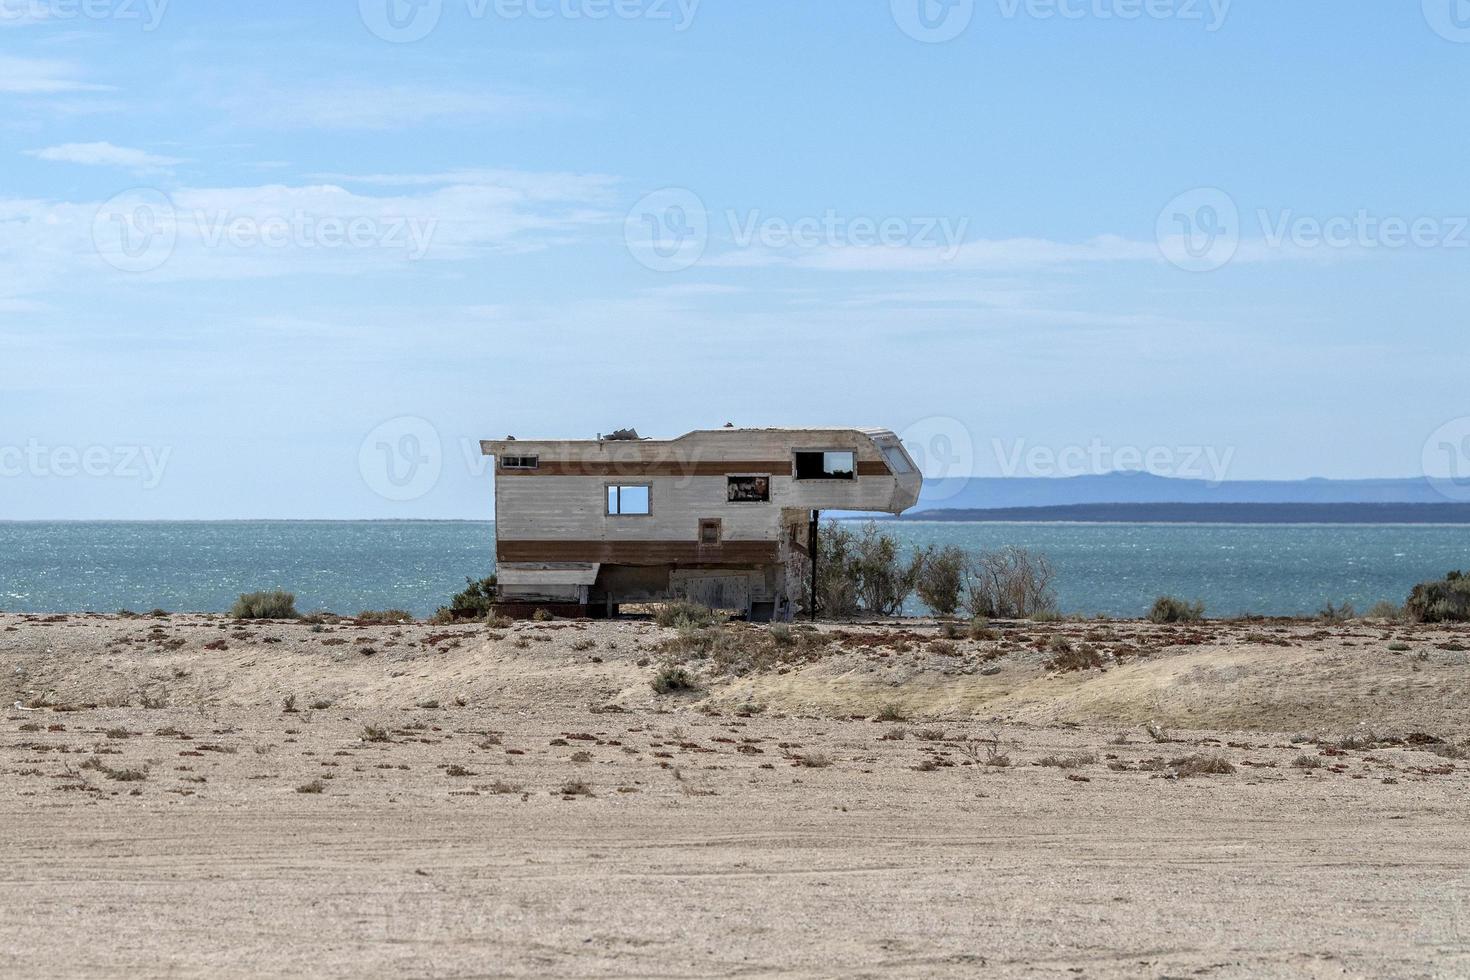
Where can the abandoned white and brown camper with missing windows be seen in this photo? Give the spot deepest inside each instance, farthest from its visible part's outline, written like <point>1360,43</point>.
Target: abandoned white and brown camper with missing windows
<point>725,518</point>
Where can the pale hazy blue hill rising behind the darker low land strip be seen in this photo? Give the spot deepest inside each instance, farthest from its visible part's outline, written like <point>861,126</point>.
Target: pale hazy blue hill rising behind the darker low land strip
<point>987,493</point>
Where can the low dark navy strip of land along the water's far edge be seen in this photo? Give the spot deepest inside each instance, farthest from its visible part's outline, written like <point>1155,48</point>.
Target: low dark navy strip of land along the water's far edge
<point>1215,514</point>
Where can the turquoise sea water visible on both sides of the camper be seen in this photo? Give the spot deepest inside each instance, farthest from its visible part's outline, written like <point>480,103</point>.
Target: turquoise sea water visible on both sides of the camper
<point>351,566</point>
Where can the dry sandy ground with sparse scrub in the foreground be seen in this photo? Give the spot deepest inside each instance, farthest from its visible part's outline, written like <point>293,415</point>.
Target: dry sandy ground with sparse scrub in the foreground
<point>187,796</point>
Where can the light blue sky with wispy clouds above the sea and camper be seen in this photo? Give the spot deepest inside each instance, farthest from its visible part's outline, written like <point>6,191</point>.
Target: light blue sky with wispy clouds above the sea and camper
<point>296,261</point>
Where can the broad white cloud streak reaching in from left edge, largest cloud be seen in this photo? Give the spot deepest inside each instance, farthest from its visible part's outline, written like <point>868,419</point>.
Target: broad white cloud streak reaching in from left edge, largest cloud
<point>277,230</point>
